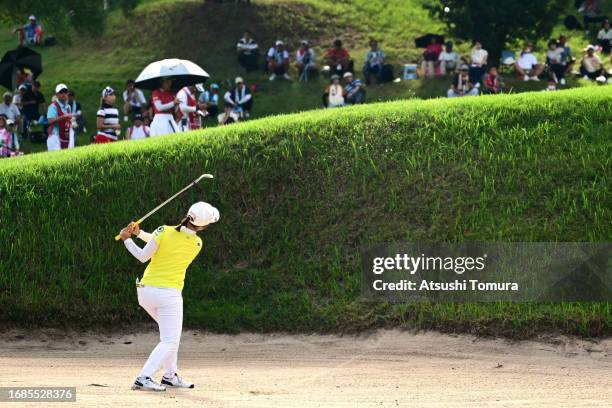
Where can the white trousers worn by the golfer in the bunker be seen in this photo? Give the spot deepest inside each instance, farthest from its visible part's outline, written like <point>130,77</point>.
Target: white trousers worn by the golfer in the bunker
<point>165,305</point>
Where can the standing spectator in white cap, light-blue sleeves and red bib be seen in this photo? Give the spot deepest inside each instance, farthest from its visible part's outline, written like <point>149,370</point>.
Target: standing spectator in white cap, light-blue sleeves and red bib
<point>60,120</point>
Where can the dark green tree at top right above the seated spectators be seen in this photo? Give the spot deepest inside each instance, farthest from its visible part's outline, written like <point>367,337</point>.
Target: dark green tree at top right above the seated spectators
<point>497,23</point>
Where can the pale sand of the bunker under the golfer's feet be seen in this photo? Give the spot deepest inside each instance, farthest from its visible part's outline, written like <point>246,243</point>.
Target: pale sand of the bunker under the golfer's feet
<point>382,369</point>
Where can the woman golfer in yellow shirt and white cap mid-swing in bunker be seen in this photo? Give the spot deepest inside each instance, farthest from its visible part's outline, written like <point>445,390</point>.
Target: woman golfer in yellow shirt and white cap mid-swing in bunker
<point>171,250</point>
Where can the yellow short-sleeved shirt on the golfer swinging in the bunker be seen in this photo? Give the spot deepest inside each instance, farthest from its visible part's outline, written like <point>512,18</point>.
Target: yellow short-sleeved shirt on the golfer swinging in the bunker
<point>176,250</point>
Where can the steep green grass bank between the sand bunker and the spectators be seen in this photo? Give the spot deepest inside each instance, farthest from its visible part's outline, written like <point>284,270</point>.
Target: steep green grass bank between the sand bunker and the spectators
<point>299,195</point>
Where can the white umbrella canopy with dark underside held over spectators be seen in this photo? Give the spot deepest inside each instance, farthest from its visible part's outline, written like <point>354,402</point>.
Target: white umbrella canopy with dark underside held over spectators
<point>182,72</point>
